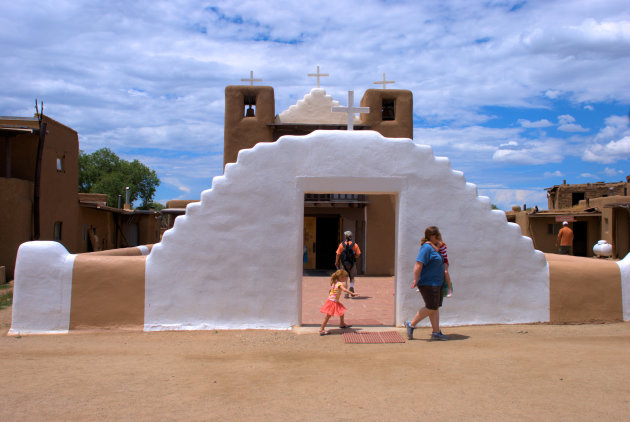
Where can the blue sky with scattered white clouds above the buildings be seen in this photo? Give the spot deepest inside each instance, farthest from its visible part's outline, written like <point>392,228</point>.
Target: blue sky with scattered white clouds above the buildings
<point>520,95</point>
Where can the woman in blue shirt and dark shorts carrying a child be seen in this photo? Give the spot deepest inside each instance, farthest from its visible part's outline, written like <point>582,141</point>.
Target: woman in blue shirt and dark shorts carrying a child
<point>428,276</point>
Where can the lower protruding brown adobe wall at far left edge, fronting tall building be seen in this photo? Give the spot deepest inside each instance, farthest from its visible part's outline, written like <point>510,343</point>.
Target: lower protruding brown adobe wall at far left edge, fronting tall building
<point>15,226</point>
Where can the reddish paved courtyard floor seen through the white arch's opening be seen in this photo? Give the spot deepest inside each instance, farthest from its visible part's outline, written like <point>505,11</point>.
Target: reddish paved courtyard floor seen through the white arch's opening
<point>375,306</point>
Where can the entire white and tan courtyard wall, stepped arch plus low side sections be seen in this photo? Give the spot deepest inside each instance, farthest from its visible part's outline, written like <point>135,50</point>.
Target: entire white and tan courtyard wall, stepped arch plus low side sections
<point>186,276</point>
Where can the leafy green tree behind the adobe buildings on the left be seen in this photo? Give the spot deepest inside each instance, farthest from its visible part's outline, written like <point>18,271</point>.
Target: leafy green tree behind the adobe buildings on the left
<point>104,172</point>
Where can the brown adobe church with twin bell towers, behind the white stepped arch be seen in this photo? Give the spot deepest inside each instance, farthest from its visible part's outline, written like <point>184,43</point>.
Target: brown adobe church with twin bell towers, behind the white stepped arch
<point>250,118</point>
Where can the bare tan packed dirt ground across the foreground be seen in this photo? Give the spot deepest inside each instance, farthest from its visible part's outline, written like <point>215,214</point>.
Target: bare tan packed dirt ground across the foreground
<point>512,372</point>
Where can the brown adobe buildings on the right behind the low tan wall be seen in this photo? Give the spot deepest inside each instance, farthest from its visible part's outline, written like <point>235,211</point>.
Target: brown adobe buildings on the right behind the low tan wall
<point>594,211</point>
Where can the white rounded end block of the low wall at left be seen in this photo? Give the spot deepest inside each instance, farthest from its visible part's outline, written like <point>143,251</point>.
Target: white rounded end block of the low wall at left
<point>42,289</point>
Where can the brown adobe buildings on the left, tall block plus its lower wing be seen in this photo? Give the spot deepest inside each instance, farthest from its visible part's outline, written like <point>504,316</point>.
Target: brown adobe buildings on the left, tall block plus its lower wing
<point>39,197</point>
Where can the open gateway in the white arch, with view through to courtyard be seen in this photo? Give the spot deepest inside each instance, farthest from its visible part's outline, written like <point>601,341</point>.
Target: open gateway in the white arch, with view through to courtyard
<point>372,220</point>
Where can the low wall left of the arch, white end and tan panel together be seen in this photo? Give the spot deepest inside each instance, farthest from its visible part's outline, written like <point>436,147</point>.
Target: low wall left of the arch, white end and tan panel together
<point>56,291</point>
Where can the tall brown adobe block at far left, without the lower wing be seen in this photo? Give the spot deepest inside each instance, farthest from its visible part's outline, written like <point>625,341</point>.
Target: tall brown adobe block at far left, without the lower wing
<point>38,184</point>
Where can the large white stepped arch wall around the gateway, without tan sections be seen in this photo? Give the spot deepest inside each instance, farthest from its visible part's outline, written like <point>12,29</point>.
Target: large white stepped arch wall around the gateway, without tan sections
<point>235,259</point>
